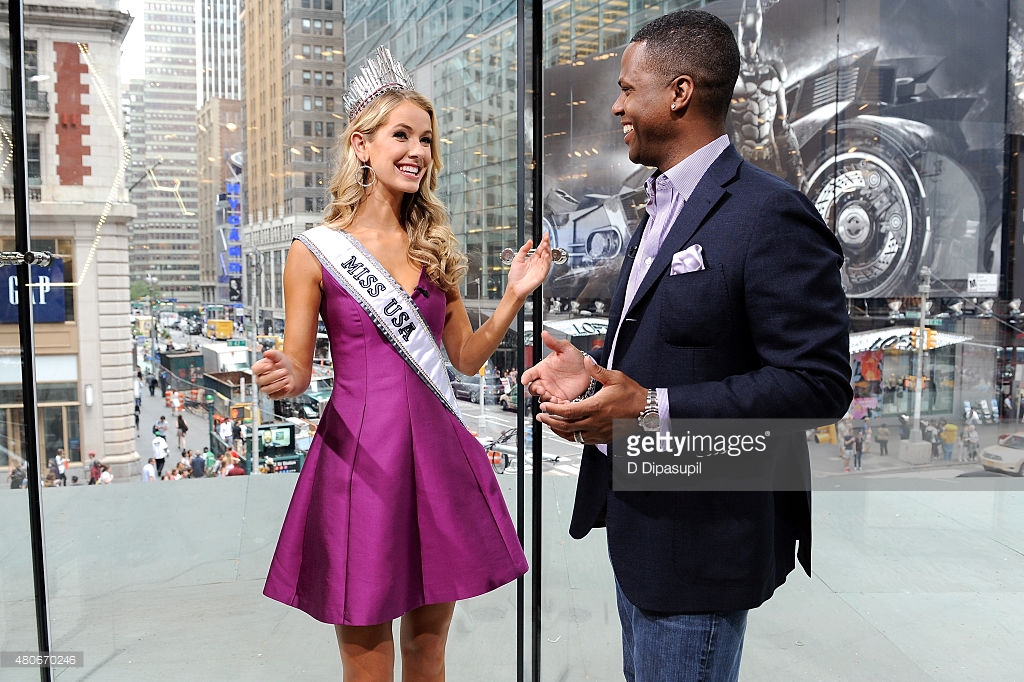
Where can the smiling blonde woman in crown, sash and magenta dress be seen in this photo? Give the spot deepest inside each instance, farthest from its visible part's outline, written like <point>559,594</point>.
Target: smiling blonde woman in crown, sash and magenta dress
<point>397,513</point>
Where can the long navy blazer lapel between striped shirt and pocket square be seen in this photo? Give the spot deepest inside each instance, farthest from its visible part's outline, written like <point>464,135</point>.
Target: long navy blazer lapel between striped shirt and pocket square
<point>708,193</point>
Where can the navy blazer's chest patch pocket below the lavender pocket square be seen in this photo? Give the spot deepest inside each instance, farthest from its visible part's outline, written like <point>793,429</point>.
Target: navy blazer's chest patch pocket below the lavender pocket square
<point>693,308</point>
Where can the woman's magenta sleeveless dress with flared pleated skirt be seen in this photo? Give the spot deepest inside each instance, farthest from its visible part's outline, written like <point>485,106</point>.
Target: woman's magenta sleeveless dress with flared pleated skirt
<point>397,505</point>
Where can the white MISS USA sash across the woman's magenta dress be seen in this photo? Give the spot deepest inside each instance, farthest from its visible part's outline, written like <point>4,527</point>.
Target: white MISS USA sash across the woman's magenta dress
<point>388,305</point>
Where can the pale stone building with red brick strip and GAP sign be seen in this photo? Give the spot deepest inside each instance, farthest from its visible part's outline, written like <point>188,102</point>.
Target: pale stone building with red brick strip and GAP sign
<point>79,211</point>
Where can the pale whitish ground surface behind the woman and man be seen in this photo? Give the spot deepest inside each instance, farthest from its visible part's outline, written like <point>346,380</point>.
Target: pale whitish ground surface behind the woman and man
<point>163,582</point>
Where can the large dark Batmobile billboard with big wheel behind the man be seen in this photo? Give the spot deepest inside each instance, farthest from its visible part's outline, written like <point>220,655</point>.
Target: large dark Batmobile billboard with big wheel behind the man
<point>891,122</point>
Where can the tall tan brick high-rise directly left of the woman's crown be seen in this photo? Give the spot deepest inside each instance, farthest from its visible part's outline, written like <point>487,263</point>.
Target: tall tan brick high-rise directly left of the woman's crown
<point>293,80</point>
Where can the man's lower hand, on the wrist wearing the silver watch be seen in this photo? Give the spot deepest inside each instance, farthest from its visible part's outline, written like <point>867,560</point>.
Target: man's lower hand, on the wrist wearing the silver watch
<point>590,421</point>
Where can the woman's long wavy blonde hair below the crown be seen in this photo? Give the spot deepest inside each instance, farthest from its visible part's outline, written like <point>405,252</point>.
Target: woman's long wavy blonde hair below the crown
<point>432,242</point>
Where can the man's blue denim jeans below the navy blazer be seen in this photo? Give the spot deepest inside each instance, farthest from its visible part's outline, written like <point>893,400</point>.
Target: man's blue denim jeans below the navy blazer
<point>680,648</point>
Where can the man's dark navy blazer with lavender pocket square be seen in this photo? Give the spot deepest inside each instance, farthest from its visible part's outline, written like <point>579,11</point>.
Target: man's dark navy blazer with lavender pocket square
<point>762,331</point>
